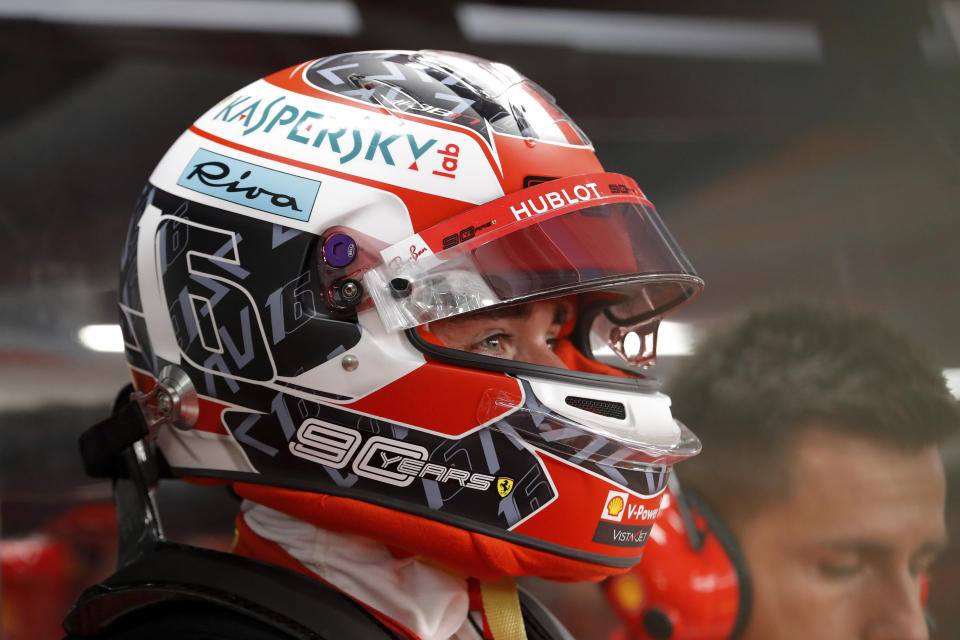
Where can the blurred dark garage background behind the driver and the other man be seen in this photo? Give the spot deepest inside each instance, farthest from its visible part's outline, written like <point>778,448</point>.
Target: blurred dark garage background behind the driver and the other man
<point>801,150</point>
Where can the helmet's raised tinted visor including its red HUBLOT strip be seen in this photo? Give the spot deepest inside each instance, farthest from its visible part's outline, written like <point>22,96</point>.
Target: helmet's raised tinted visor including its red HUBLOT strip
<point>519,249</point>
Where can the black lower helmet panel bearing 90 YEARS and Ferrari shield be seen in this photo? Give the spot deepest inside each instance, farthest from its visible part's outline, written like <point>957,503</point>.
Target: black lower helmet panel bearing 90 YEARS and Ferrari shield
<point>318,447</point>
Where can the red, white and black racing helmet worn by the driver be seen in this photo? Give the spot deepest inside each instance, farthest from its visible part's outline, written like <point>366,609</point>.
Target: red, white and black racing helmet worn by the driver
<point>286,280</point>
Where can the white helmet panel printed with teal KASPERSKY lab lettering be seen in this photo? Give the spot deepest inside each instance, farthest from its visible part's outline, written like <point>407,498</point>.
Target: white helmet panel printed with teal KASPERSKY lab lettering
<point>377,145</point>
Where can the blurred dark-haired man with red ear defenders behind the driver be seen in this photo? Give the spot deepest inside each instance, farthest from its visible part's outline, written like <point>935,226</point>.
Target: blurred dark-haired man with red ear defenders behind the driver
<point>817,505</point>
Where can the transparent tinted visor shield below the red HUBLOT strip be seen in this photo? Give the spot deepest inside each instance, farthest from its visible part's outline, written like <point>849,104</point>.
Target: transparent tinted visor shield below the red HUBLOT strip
<point>608,246</point>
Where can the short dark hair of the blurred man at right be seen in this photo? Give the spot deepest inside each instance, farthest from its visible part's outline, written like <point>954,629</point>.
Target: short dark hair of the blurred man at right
<point>750,390</point>
